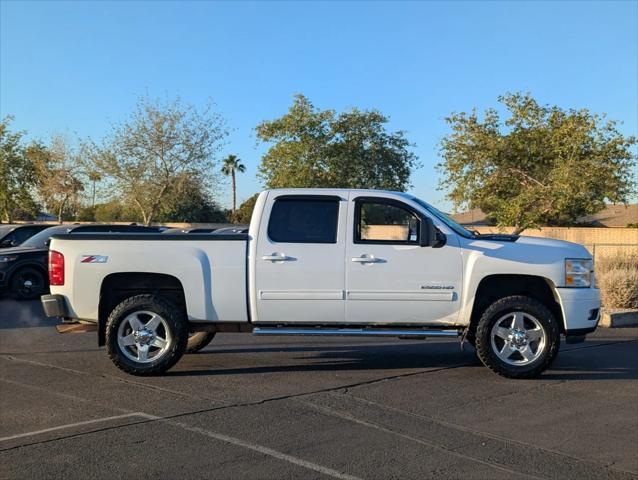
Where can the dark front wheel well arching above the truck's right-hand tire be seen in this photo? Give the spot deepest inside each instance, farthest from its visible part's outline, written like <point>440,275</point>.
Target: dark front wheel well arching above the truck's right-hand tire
<point>494,287</point>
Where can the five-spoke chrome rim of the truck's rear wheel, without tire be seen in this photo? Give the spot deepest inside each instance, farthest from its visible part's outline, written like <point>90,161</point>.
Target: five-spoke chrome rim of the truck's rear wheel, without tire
<point>144,337</point>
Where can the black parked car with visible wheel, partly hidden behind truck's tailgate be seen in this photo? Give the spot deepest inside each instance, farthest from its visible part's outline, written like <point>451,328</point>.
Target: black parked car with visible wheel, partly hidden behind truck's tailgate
<point>23,269</point>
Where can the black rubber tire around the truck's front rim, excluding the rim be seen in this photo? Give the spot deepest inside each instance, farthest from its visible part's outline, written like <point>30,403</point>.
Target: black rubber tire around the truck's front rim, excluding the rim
<point>483,341</point>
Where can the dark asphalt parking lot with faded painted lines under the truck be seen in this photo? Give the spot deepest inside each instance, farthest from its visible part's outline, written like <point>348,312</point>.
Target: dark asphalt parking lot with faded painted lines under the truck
<point>289,407</point>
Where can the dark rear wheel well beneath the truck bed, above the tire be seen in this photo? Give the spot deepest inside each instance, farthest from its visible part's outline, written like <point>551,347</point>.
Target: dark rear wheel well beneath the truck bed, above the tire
<point>119,286</point>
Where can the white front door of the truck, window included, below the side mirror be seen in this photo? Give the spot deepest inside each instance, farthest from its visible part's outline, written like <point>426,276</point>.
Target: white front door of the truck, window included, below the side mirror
<point>390,279</point>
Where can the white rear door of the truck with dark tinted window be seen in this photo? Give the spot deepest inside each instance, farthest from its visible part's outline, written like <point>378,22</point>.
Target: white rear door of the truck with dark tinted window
<point>299,270</point>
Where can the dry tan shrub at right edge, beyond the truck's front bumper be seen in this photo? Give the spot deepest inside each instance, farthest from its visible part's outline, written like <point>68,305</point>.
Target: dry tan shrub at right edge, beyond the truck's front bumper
<point>618,280</point>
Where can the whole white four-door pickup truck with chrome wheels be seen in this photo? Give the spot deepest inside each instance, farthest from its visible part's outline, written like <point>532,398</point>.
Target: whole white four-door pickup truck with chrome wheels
<point>327,262</point>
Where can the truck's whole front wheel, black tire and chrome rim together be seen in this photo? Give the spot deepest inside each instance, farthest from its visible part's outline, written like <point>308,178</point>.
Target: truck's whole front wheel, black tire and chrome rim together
<point>517,337</point>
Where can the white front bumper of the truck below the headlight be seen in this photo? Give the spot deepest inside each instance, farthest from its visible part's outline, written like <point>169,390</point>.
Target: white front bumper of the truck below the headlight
<point>581,309</point>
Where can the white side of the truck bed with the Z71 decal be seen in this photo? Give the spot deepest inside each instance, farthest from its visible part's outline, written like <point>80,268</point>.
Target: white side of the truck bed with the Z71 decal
<point>211,269</point>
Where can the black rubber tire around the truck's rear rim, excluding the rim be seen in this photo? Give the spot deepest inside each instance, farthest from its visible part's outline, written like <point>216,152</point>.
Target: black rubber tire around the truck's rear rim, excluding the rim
<point>170,313</point>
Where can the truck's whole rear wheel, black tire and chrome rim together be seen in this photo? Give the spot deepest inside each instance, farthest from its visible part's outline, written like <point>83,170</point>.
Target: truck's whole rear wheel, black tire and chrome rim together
<point>146,335</point>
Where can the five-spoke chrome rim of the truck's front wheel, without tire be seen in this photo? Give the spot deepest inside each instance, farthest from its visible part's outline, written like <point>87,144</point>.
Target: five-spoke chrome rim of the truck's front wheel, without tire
<point>518,338</point>
